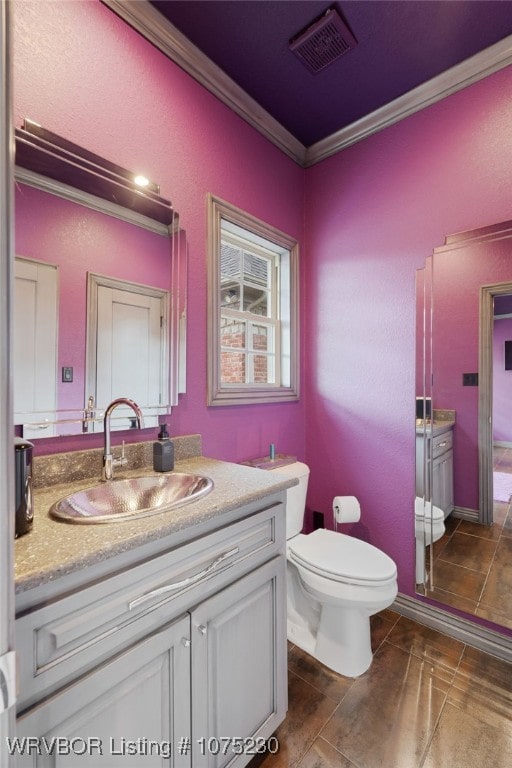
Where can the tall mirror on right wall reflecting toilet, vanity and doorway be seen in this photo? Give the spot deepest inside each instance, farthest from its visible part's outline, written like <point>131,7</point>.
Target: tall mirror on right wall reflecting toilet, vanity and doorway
<point>464,445</point>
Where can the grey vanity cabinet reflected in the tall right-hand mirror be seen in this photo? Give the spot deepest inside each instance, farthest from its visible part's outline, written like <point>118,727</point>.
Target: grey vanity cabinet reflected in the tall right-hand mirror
<point>434,476</point>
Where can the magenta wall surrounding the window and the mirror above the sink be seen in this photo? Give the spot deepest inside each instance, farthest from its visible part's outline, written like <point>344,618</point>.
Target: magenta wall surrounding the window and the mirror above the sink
<point>83,73</point>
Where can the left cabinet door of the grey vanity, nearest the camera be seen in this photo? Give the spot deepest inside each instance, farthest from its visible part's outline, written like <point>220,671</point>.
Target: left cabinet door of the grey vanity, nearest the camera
<point>131,711</point>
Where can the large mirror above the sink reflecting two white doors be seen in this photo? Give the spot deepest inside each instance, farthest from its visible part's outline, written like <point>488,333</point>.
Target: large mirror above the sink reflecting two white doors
<point>100,300</point>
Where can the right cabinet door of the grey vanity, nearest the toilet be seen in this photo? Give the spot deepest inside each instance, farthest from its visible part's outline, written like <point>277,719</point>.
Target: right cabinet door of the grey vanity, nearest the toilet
<point>239,682</point>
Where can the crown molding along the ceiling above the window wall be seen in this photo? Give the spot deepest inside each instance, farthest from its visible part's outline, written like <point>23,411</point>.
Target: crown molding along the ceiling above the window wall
<point>144,18</point>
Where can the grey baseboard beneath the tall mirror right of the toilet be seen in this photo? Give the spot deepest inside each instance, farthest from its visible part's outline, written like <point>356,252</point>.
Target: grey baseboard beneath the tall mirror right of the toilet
<point>475,635</point>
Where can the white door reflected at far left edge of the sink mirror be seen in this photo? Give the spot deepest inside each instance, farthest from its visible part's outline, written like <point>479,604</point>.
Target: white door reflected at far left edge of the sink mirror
<point>35,346</point>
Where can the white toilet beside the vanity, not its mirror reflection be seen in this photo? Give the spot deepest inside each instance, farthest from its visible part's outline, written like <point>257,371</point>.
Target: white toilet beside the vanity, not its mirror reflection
<point>335,583</point>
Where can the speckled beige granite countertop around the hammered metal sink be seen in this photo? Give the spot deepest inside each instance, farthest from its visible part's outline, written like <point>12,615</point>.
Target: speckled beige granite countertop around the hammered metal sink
<point>54,548</point>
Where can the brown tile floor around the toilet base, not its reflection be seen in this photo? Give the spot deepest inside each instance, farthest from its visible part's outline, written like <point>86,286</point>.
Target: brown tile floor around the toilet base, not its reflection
<point>427,701</point>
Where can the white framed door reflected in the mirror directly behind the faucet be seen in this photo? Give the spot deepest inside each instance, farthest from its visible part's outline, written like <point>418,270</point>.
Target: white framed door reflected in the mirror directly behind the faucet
<point>129,350</point>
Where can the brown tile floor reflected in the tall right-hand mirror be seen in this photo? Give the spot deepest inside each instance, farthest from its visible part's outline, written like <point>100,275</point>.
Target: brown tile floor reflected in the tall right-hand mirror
<point>473,563</point>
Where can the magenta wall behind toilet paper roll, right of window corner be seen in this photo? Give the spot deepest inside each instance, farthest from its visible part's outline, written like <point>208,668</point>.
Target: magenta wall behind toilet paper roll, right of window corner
<point>374,213</point>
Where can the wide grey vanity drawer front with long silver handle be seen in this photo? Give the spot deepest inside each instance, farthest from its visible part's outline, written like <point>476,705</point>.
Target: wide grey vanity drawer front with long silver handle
<point>58,641</point>
